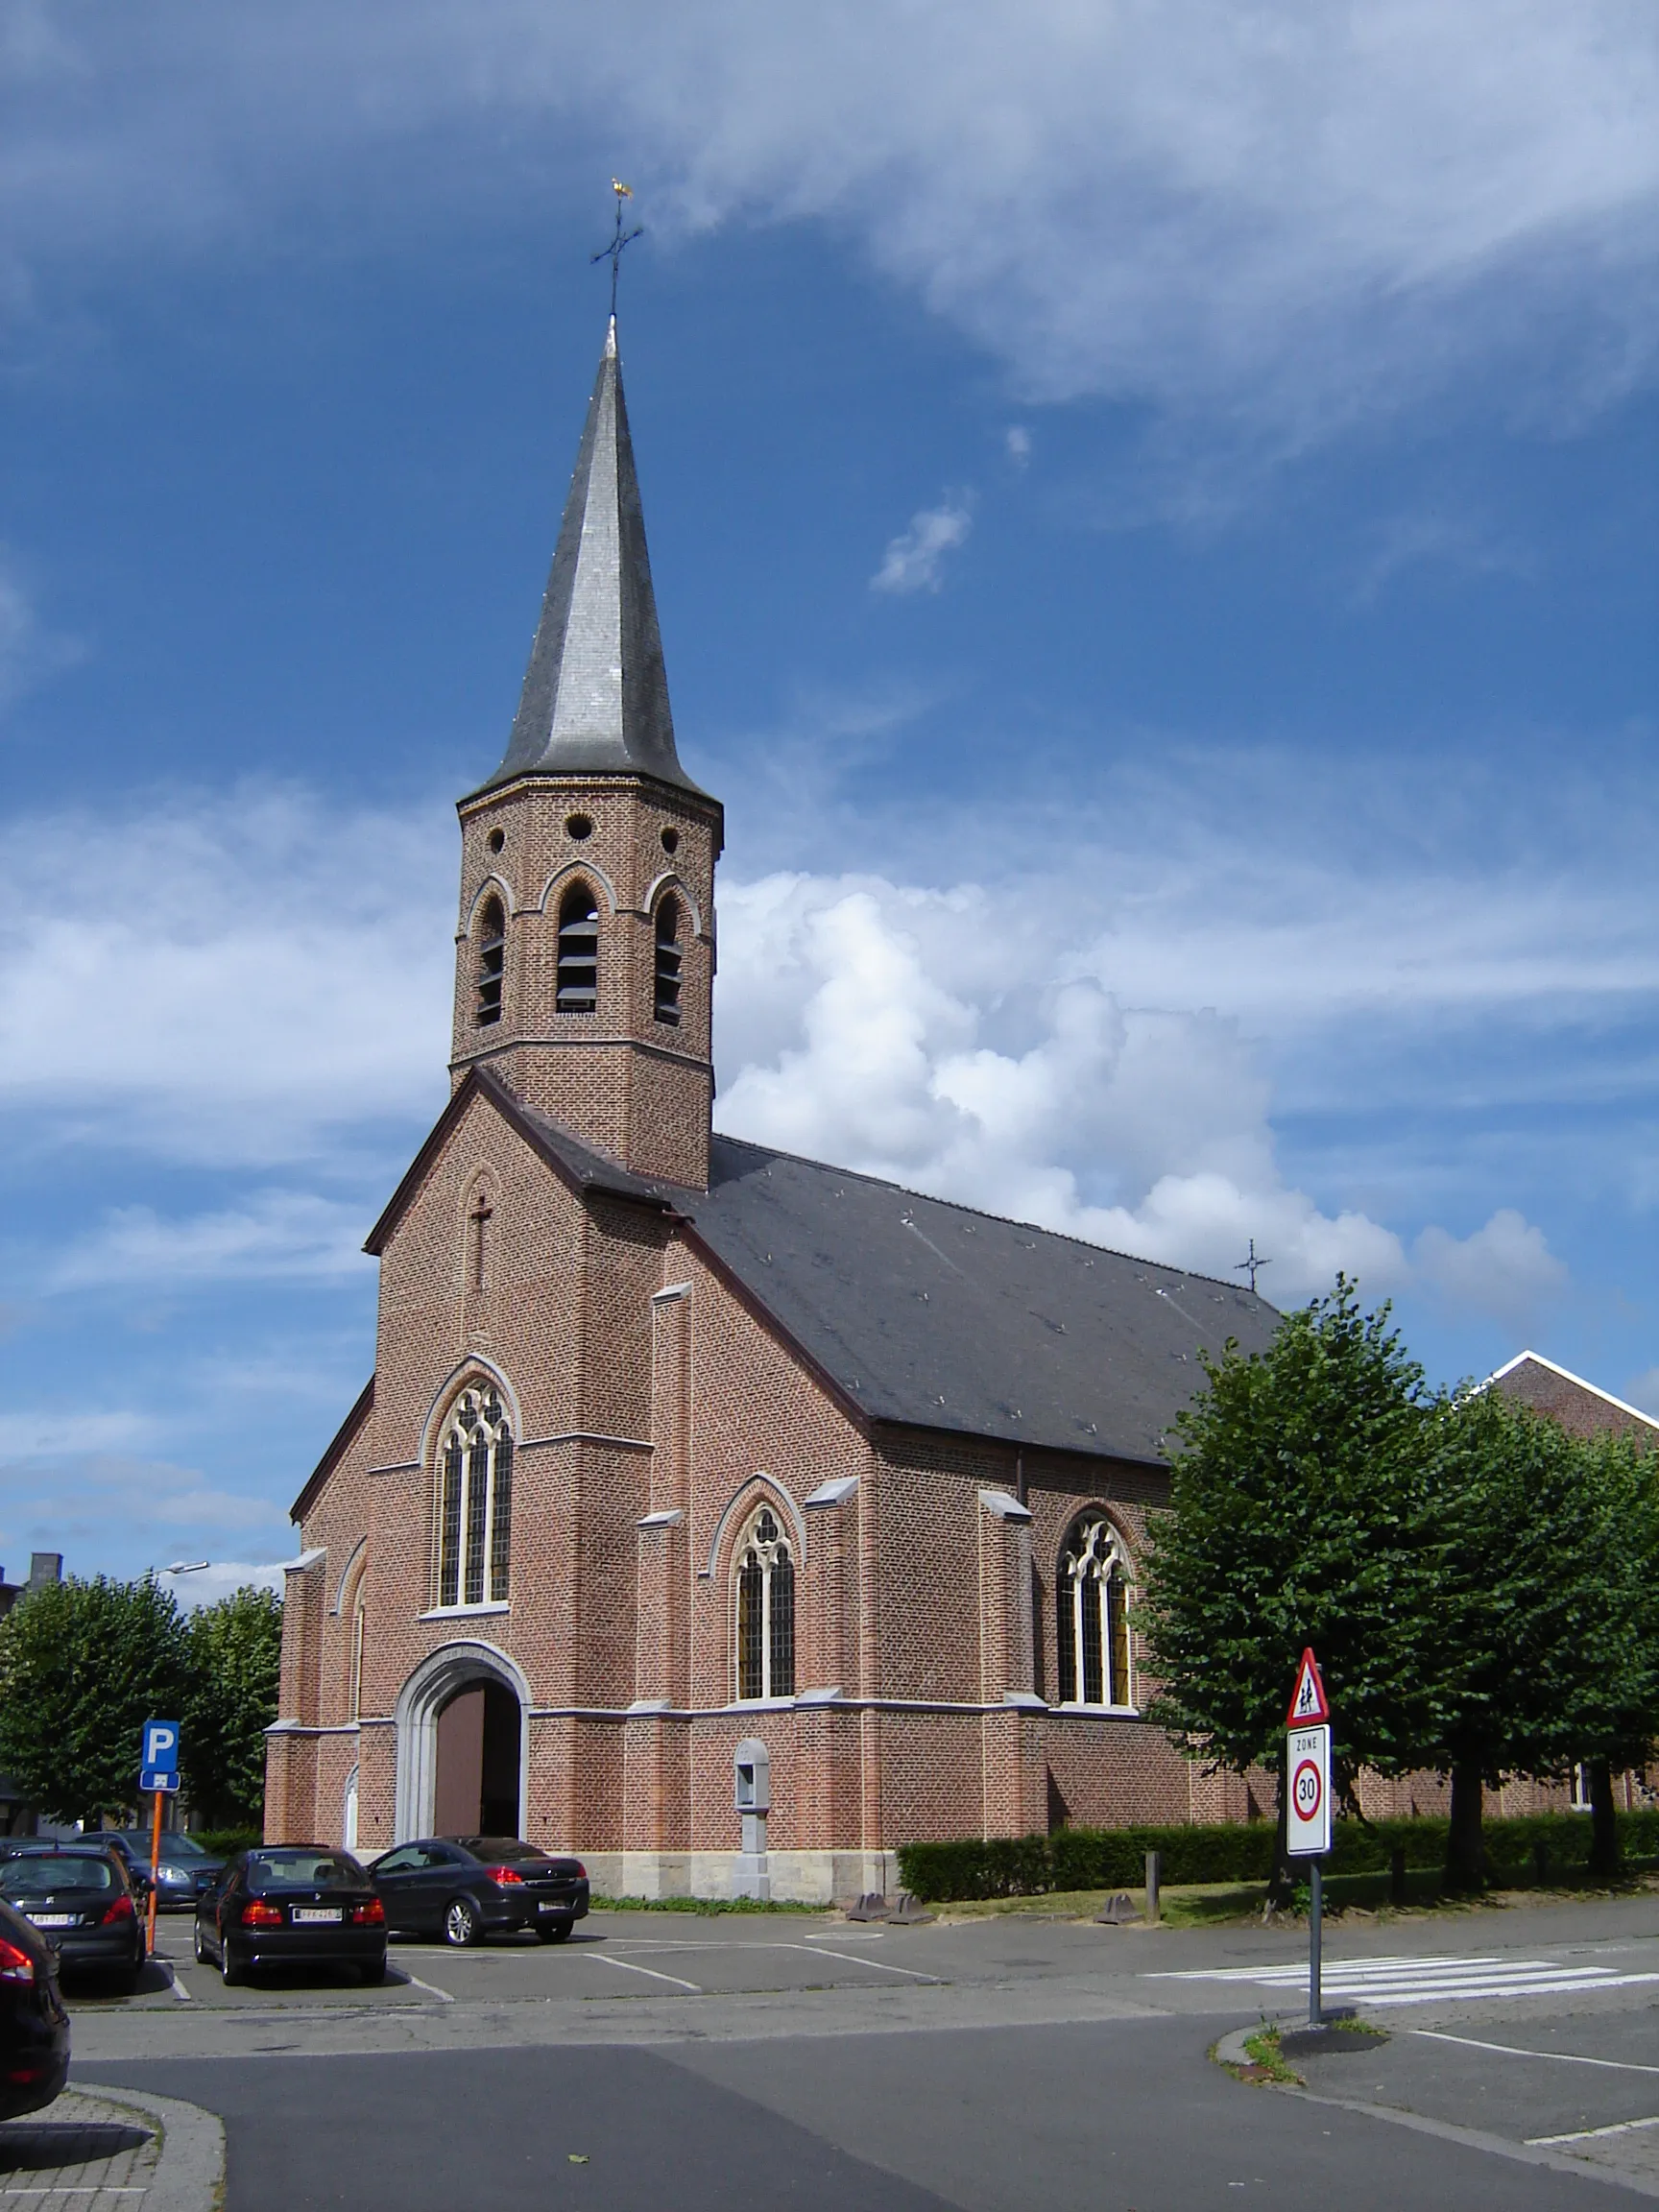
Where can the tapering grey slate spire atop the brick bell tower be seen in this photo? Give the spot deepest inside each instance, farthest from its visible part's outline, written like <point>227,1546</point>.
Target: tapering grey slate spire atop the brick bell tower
<point>596,693</point>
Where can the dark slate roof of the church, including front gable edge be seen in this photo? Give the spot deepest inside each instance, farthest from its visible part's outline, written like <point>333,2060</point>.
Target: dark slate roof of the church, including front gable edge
<point>926,1313</point>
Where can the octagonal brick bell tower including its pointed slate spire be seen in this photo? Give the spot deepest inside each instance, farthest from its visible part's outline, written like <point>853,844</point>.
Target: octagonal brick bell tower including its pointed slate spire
<point>585,957</point>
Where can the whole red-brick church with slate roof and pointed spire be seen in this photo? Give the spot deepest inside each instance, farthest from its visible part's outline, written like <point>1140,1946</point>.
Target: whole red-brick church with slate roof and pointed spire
<point>676,1443</point>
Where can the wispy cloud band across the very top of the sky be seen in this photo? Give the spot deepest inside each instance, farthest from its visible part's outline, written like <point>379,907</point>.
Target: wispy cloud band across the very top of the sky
<point>1313,209</point>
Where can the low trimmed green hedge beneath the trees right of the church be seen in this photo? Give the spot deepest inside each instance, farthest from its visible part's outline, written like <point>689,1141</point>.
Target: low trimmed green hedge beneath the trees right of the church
<point>1116,1857</point>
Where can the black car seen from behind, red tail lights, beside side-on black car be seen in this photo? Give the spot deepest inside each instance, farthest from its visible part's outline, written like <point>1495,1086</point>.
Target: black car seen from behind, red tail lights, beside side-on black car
<point>291,1906</point>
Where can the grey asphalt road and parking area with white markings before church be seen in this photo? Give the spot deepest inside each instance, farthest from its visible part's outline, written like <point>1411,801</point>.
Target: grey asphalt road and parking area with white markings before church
<point>990,2067</point>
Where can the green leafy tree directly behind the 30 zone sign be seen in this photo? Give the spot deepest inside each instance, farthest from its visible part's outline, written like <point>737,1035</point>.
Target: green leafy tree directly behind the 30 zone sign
<point>1300,1514</point>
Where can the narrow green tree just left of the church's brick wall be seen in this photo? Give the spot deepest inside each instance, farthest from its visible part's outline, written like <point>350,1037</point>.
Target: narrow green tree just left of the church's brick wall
<point>233,1667</point>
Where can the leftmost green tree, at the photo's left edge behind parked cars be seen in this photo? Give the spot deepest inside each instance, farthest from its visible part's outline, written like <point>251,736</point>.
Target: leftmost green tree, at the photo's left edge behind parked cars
<point>83,1669</point>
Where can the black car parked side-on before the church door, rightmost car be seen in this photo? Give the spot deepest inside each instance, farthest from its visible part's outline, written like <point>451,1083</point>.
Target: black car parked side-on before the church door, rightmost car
<point>466,1888</point>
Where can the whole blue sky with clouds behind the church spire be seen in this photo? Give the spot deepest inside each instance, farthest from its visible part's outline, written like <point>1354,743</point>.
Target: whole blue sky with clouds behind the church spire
<point>1154,521</point>
